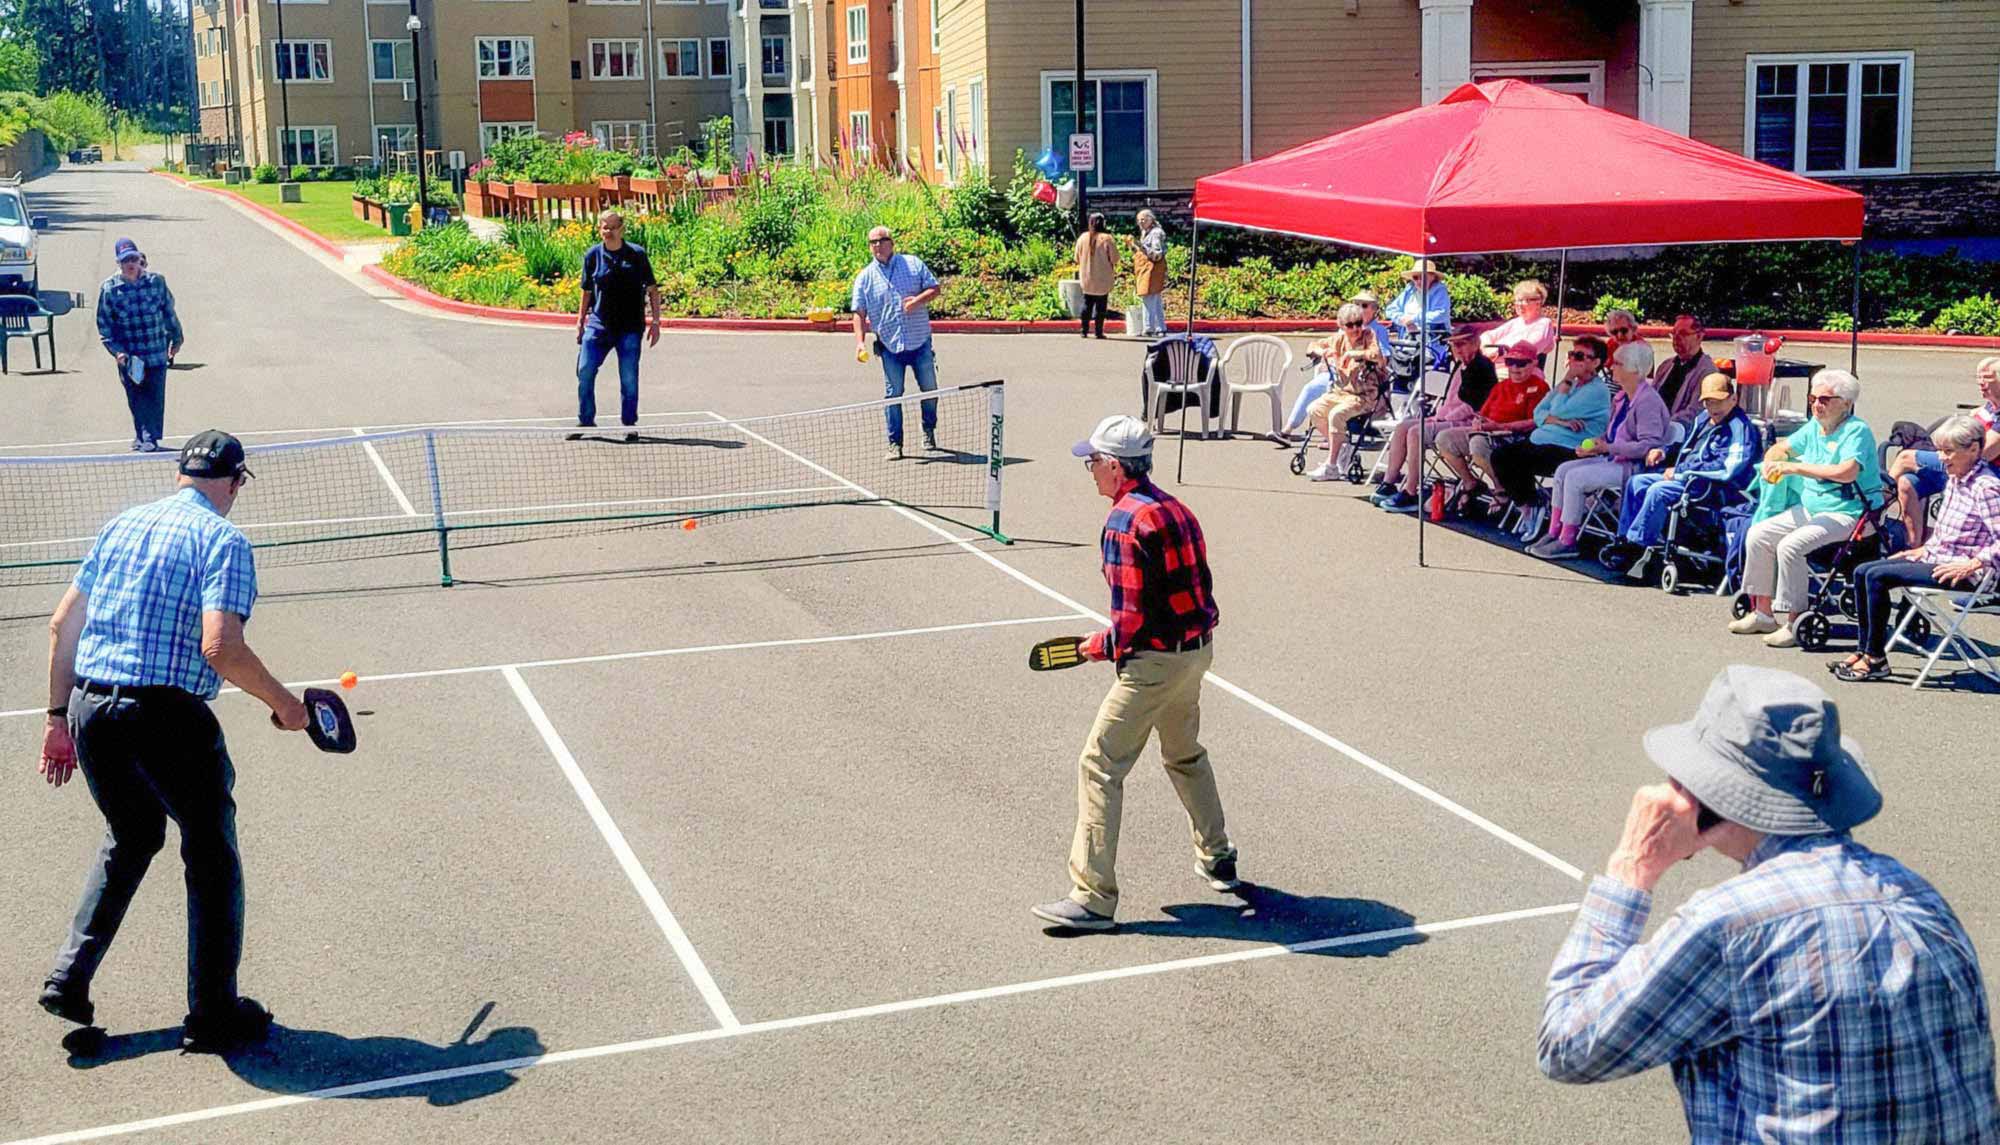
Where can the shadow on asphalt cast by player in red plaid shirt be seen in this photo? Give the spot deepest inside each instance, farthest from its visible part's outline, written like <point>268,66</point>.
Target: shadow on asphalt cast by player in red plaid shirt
<point>1321,924</point>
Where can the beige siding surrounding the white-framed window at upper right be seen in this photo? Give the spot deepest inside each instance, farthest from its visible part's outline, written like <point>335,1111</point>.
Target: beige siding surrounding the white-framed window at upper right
<point>1955,71</point>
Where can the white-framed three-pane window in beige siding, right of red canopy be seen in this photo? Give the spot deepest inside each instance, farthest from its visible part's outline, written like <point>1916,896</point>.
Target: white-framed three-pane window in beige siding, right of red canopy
<point>1829,115</point>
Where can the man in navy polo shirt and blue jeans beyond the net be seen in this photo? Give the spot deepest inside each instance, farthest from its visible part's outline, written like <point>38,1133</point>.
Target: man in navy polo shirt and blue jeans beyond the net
<point>619,291</point>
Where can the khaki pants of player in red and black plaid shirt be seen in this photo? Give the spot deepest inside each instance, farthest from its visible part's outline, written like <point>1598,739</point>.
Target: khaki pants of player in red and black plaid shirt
<point>1155,692</point>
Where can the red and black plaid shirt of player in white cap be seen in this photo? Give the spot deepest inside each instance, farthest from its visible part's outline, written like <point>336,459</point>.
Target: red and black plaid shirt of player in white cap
<point>1157,563</point>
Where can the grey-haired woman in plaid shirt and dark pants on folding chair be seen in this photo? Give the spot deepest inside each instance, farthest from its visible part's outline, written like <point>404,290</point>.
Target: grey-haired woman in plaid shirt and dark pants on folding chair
<point>1961,551</point>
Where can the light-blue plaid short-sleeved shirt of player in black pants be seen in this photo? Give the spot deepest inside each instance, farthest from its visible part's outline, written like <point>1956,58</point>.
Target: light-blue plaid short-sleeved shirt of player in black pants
<point>149,580</point>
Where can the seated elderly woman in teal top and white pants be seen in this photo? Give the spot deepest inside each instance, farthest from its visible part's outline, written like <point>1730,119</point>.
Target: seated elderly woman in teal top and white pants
<point>1819,483</point>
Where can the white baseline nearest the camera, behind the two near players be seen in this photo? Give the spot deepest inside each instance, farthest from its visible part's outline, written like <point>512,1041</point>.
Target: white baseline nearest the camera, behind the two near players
<point>785,1024</point>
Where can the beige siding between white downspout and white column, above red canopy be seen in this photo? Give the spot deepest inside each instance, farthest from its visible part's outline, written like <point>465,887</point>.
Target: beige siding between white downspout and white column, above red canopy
<point>1319,71</point>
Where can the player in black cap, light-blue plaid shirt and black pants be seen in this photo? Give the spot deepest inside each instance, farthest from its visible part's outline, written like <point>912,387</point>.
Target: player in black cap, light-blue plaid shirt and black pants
<point>139,646</point>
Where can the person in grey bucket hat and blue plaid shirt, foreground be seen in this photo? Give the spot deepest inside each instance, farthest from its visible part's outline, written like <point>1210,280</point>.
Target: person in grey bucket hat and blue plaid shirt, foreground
<point>1825,996</point>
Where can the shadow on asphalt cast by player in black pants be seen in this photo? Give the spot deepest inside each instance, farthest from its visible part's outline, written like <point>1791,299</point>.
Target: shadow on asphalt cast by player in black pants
<point>319,1062</point>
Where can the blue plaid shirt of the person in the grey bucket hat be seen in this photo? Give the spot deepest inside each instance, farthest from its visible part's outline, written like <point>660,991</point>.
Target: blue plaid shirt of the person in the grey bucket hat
<point>1825,996</point>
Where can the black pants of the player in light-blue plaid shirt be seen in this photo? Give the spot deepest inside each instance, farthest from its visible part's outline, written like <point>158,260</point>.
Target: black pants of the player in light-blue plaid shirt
<point>151,756</point>
